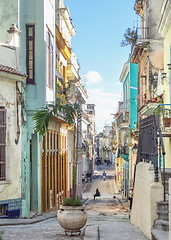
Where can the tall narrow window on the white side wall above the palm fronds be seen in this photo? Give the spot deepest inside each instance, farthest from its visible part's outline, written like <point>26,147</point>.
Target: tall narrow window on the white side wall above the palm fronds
<point>50,60</point>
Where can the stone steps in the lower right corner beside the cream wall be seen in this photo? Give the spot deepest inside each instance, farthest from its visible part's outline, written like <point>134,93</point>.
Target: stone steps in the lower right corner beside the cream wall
<point>160,230</point>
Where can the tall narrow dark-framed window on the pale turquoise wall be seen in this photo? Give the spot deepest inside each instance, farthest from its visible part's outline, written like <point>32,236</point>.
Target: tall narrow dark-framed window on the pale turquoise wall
<point>30,53</point>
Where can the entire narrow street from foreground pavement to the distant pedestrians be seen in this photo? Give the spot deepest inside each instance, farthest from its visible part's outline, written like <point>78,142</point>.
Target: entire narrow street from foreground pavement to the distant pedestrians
<point>108,218</point>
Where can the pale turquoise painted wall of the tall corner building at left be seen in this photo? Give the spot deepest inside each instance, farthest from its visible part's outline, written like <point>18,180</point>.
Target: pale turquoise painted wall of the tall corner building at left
<point>33,12</point>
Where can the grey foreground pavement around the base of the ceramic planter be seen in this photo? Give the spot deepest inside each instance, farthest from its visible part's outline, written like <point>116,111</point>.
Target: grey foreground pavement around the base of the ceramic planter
<point>98,227</point>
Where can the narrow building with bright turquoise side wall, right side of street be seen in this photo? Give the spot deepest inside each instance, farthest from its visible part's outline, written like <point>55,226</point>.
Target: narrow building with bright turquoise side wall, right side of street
<point>129,79</point>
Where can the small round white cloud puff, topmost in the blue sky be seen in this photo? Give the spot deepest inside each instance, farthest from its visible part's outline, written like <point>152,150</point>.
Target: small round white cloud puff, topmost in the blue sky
<point>91,77</point>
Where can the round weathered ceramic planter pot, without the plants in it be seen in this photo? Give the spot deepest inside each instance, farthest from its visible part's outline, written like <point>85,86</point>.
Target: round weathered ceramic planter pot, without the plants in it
<point>71,218</point>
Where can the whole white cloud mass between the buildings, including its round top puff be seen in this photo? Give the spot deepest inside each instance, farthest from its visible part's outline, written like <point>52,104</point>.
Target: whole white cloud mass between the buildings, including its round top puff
<point>101,94</point>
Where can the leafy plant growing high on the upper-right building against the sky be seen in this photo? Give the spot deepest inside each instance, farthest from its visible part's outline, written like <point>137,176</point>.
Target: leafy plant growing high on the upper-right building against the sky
<point>130,37</point>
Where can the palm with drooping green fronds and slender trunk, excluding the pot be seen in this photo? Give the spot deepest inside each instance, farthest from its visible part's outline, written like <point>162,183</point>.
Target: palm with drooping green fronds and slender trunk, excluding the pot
<point>71,114</point>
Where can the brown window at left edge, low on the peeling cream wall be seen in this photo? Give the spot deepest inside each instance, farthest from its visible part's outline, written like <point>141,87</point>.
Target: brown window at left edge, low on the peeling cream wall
<point>2,143</point>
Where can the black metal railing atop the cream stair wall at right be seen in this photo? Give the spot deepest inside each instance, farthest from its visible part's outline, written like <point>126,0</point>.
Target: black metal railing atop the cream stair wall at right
<point>151,146</point>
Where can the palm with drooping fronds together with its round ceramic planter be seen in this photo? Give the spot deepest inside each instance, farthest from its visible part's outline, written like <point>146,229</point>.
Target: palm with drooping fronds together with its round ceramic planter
<point>71,215</point>
